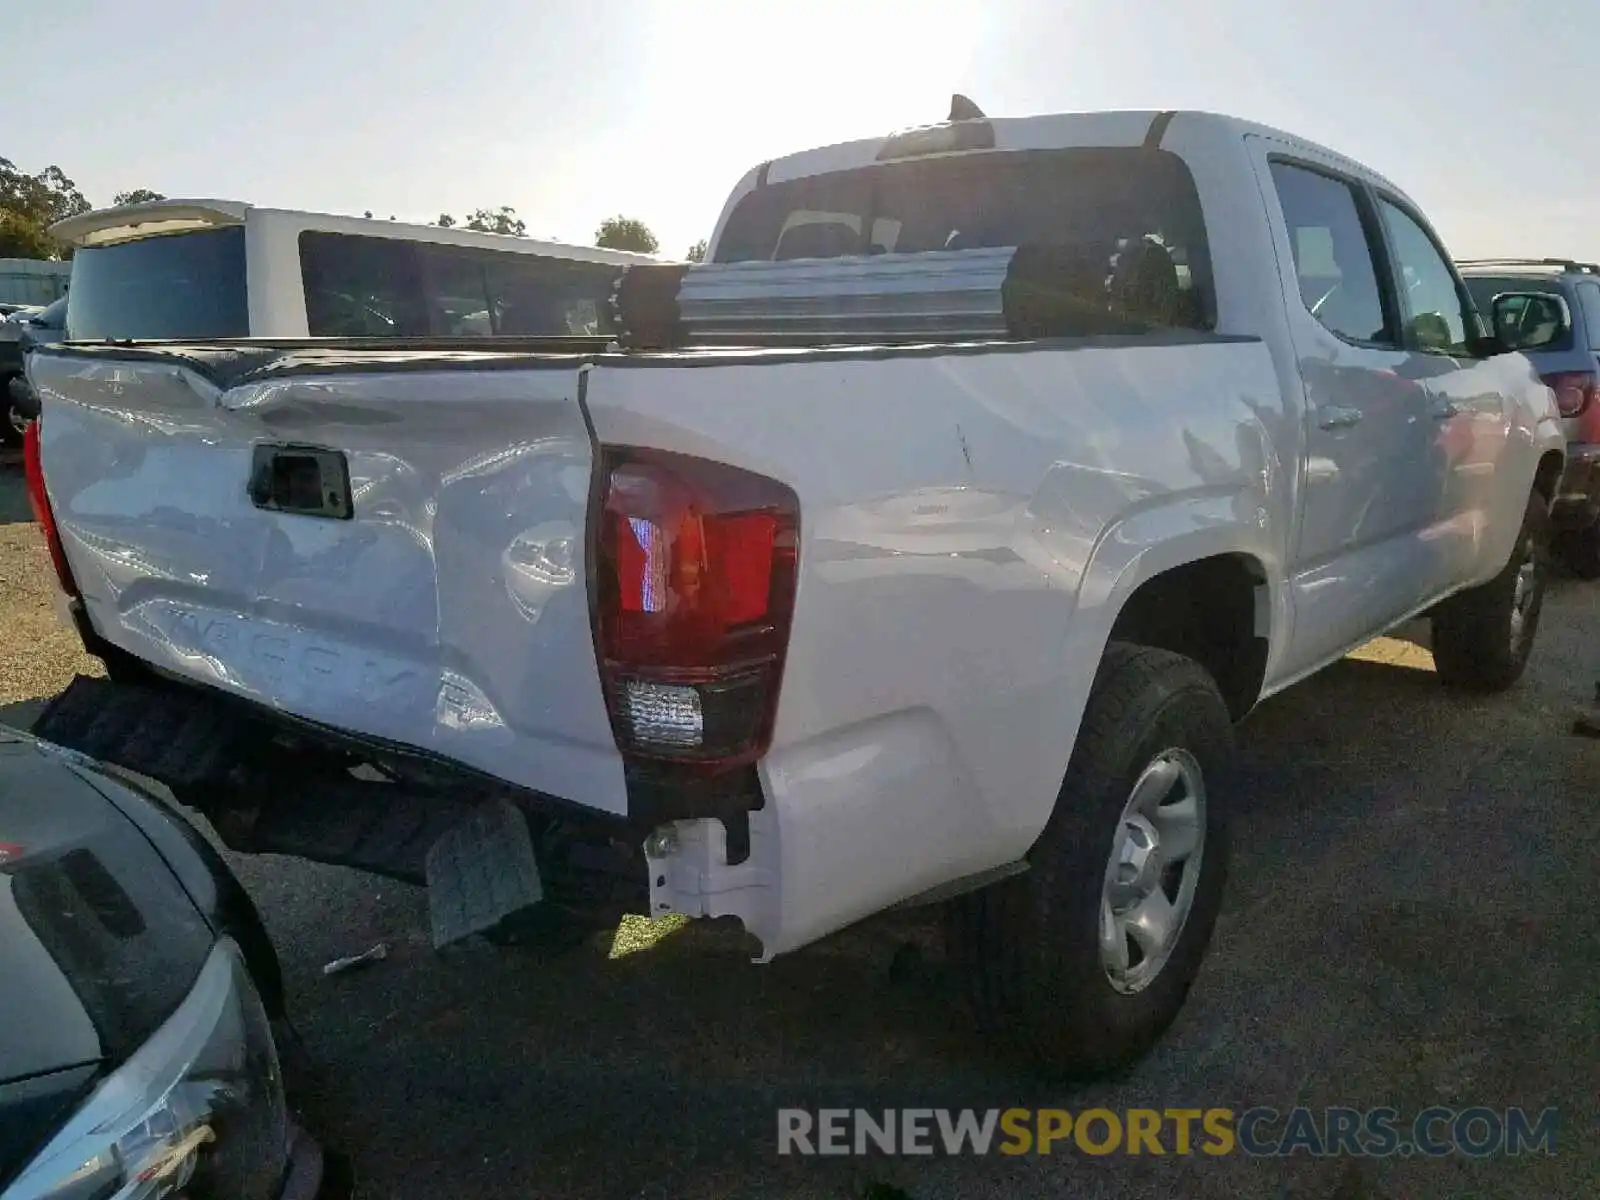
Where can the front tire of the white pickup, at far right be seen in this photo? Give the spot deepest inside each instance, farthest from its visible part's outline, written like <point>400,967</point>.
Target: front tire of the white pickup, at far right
<point>1479,641</point>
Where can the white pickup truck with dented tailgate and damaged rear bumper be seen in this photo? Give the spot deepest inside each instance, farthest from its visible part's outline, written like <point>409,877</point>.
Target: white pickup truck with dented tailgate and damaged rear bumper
<point>922,546</point>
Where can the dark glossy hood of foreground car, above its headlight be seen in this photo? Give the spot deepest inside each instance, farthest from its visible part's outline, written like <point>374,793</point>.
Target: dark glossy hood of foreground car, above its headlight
<point>98,940</point>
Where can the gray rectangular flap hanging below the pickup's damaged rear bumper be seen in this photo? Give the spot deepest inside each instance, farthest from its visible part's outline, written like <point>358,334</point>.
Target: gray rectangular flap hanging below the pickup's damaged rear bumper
<point>481,873</point>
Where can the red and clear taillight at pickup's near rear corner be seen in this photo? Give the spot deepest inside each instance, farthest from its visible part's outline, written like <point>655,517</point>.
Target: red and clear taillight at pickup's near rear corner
<point>695,590</point>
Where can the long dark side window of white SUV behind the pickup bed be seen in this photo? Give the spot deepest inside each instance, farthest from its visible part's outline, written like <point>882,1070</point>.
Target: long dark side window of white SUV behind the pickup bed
<point>385,287</point>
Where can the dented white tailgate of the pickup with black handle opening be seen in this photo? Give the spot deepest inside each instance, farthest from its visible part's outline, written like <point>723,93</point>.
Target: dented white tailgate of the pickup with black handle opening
<point>442,606</point>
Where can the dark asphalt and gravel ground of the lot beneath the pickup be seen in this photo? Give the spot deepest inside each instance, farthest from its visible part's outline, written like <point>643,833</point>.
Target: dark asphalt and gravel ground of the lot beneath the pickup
<point>1412,921</point>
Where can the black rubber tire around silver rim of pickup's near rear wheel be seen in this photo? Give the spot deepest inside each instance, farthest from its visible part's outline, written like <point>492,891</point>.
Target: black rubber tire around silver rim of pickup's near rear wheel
<point>1030,948</point>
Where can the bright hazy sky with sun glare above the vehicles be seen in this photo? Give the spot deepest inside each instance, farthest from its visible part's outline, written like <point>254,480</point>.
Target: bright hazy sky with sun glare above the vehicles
<point>577,110</point>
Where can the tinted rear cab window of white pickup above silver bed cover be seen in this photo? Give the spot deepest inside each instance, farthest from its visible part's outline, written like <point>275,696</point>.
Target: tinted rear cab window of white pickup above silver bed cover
<point>1084,207</point>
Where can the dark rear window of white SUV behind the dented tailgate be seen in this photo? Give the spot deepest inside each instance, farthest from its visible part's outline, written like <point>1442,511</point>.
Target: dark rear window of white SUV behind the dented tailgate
<point>180,286</point>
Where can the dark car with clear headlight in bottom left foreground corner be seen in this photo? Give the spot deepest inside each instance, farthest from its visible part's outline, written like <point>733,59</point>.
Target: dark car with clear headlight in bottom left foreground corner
<point>140,999</point>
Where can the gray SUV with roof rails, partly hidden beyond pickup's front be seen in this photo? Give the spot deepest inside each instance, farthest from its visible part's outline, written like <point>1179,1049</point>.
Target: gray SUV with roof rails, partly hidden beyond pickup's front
<point>1572,367</point>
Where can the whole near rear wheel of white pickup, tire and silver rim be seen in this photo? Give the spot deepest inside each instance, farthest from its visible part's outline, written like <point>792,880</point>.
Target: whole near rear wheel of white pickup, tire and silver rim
<point>1084,961</point>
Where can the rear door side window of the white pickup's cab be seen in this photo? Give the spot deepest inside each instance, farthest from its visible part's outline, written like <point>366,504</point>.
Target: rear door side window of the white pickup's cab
<point>1334,257</point>
